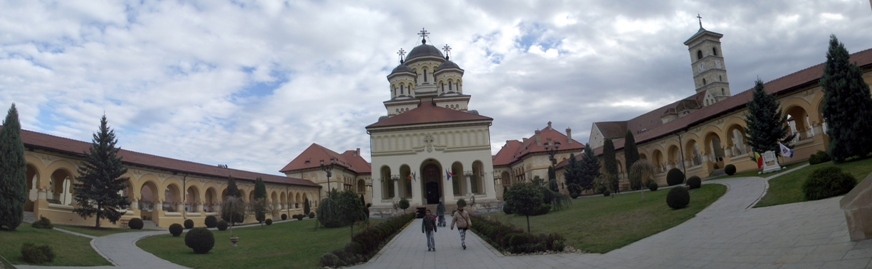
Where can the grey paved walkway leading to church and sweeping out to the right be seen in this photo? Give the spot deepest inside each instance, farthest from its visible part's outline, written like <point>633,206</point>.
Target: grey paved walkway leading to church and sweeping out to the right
<point>727,234</point>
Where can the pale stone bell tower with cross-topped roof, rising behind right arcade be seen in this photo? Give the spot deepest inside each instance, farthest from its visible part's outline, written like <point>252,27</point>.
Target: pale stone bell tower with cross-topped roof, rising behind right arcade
<point>708,66</point>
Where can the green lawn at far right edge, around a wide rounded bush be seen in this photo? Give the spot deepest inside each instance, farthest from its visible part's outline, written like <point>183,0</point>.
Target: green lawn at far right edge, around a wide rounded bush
<point>787,188</point>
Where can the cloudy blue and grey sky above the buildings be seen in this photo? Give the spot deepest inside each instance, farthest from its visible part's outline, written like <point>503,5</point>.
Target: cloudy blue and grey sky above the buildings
<point>252,84</point>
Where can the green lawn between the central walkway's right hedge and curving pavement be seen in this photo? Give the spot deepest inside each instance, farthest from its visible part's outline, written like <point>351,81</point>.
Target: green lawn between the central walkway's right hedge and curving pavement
<point>599,224</point>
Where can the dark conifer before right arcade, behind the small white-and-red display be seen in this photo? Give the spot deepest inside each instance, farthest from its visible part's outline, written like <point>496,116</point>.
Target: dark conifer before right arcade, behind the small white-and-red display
<point>766,126</point>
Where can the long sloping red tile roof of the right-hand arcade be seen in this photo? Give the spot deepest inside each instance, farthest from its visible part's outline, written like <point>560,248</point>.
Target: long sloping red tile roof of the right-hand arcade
<point>783,85</point>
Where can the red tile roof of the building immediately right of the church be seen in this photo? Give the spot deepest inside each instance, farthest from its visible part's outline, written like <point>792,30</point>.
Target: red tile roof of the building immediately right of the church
<point>515,150</point>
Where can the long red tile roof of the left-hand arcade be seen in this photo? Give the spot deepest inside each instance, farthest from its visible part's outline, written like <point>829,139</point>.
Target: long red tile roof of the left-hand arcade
<point>35,140</point>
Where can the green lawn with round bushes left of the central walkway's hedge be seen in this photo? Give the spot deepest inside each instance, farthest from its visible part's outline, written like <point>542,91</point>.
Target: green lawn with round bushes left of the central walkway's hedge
<point>293,244</point>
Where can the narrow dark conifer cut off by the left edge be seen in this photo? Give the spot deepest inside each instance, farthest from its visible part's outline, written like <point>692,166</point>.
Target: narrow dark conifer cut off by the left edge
<point>13,172</point>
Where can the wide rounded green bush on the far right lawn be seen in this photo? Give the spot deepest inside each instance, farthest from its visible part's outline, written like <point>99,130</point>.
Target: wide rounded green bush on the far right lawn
<point>827,182</point>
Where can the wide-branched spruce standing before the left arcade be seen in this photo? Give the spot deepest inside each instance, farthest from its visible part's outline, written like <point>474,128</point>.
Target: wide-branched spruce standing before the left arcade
<point>99,182</point>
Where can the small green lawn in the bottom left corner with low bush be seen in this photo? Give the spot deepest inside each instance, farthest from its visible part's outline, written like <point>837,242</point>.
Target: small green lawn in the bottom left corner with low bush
<point>70,250</point>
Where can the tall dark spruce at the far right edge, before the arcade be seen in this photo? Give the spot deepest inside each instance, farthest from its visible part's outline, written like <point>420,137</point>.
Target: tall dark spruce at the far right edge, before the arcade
<point>847,105</point>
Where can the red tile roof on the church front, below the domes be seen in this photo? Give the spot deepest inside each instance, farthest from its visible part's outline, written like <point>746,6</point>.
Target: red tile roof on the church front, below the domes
<point>427,113</point>
